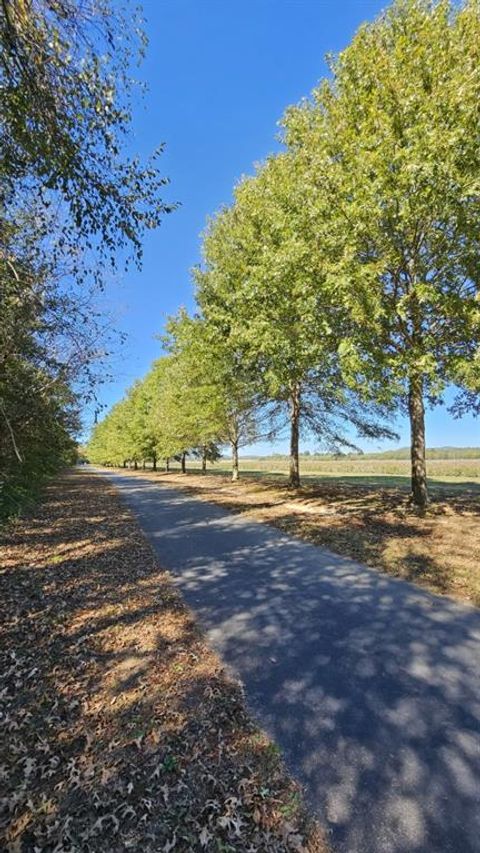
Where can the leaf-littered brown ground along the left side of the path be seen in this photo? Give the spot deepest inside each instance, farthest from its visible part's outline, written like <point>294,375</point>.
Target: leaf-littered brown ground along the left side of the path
<point>121,729</point>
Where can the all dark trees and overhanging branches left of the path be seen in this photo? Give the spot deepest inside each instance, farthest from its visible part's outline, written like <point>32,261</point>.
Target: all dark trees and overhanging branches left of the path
<point>73,205</point>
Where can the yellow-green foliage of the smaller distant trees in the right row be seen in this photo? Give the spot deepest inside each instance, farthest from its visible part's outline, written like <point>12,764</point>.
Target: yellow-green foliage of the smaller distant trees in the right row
<point>183,406</point>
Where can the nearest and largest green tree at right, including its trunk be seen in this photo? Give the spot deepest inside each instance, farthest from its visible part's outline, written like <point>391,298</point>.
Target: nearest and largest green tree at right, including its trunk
<point>389,149</point>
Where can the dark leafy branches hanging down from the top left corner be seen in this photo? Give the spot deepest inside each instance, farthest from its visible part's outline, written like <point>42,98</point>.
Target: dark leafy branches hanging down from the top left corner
<point>65,90</point>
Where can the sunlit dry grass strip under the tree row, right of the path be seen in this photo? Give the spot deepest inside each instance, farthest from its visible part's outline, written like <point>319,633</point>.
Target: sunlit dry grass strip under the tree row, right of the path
<point>372,524</point>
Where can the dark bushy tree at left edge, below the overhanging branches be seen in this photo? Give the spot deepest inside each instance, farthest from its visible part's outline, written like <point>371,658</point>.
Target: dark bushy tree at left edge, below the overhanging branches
<point>39,359</point>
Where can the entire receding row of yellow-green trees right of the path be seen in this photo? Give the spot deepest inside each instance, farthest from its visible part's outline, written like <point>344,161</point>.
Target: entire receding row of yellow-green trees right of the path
<point>342,283</point>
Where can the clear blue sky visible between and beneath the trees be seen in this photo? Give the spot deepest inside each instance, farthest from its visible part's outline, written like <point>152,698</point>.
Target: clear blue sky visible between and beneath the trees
<point>220,74</point>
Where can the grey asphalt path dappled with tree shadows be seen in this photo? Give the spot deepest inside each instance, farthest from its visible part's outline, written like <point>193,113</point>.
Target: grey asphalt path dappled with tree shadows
<point>370,686</point>
